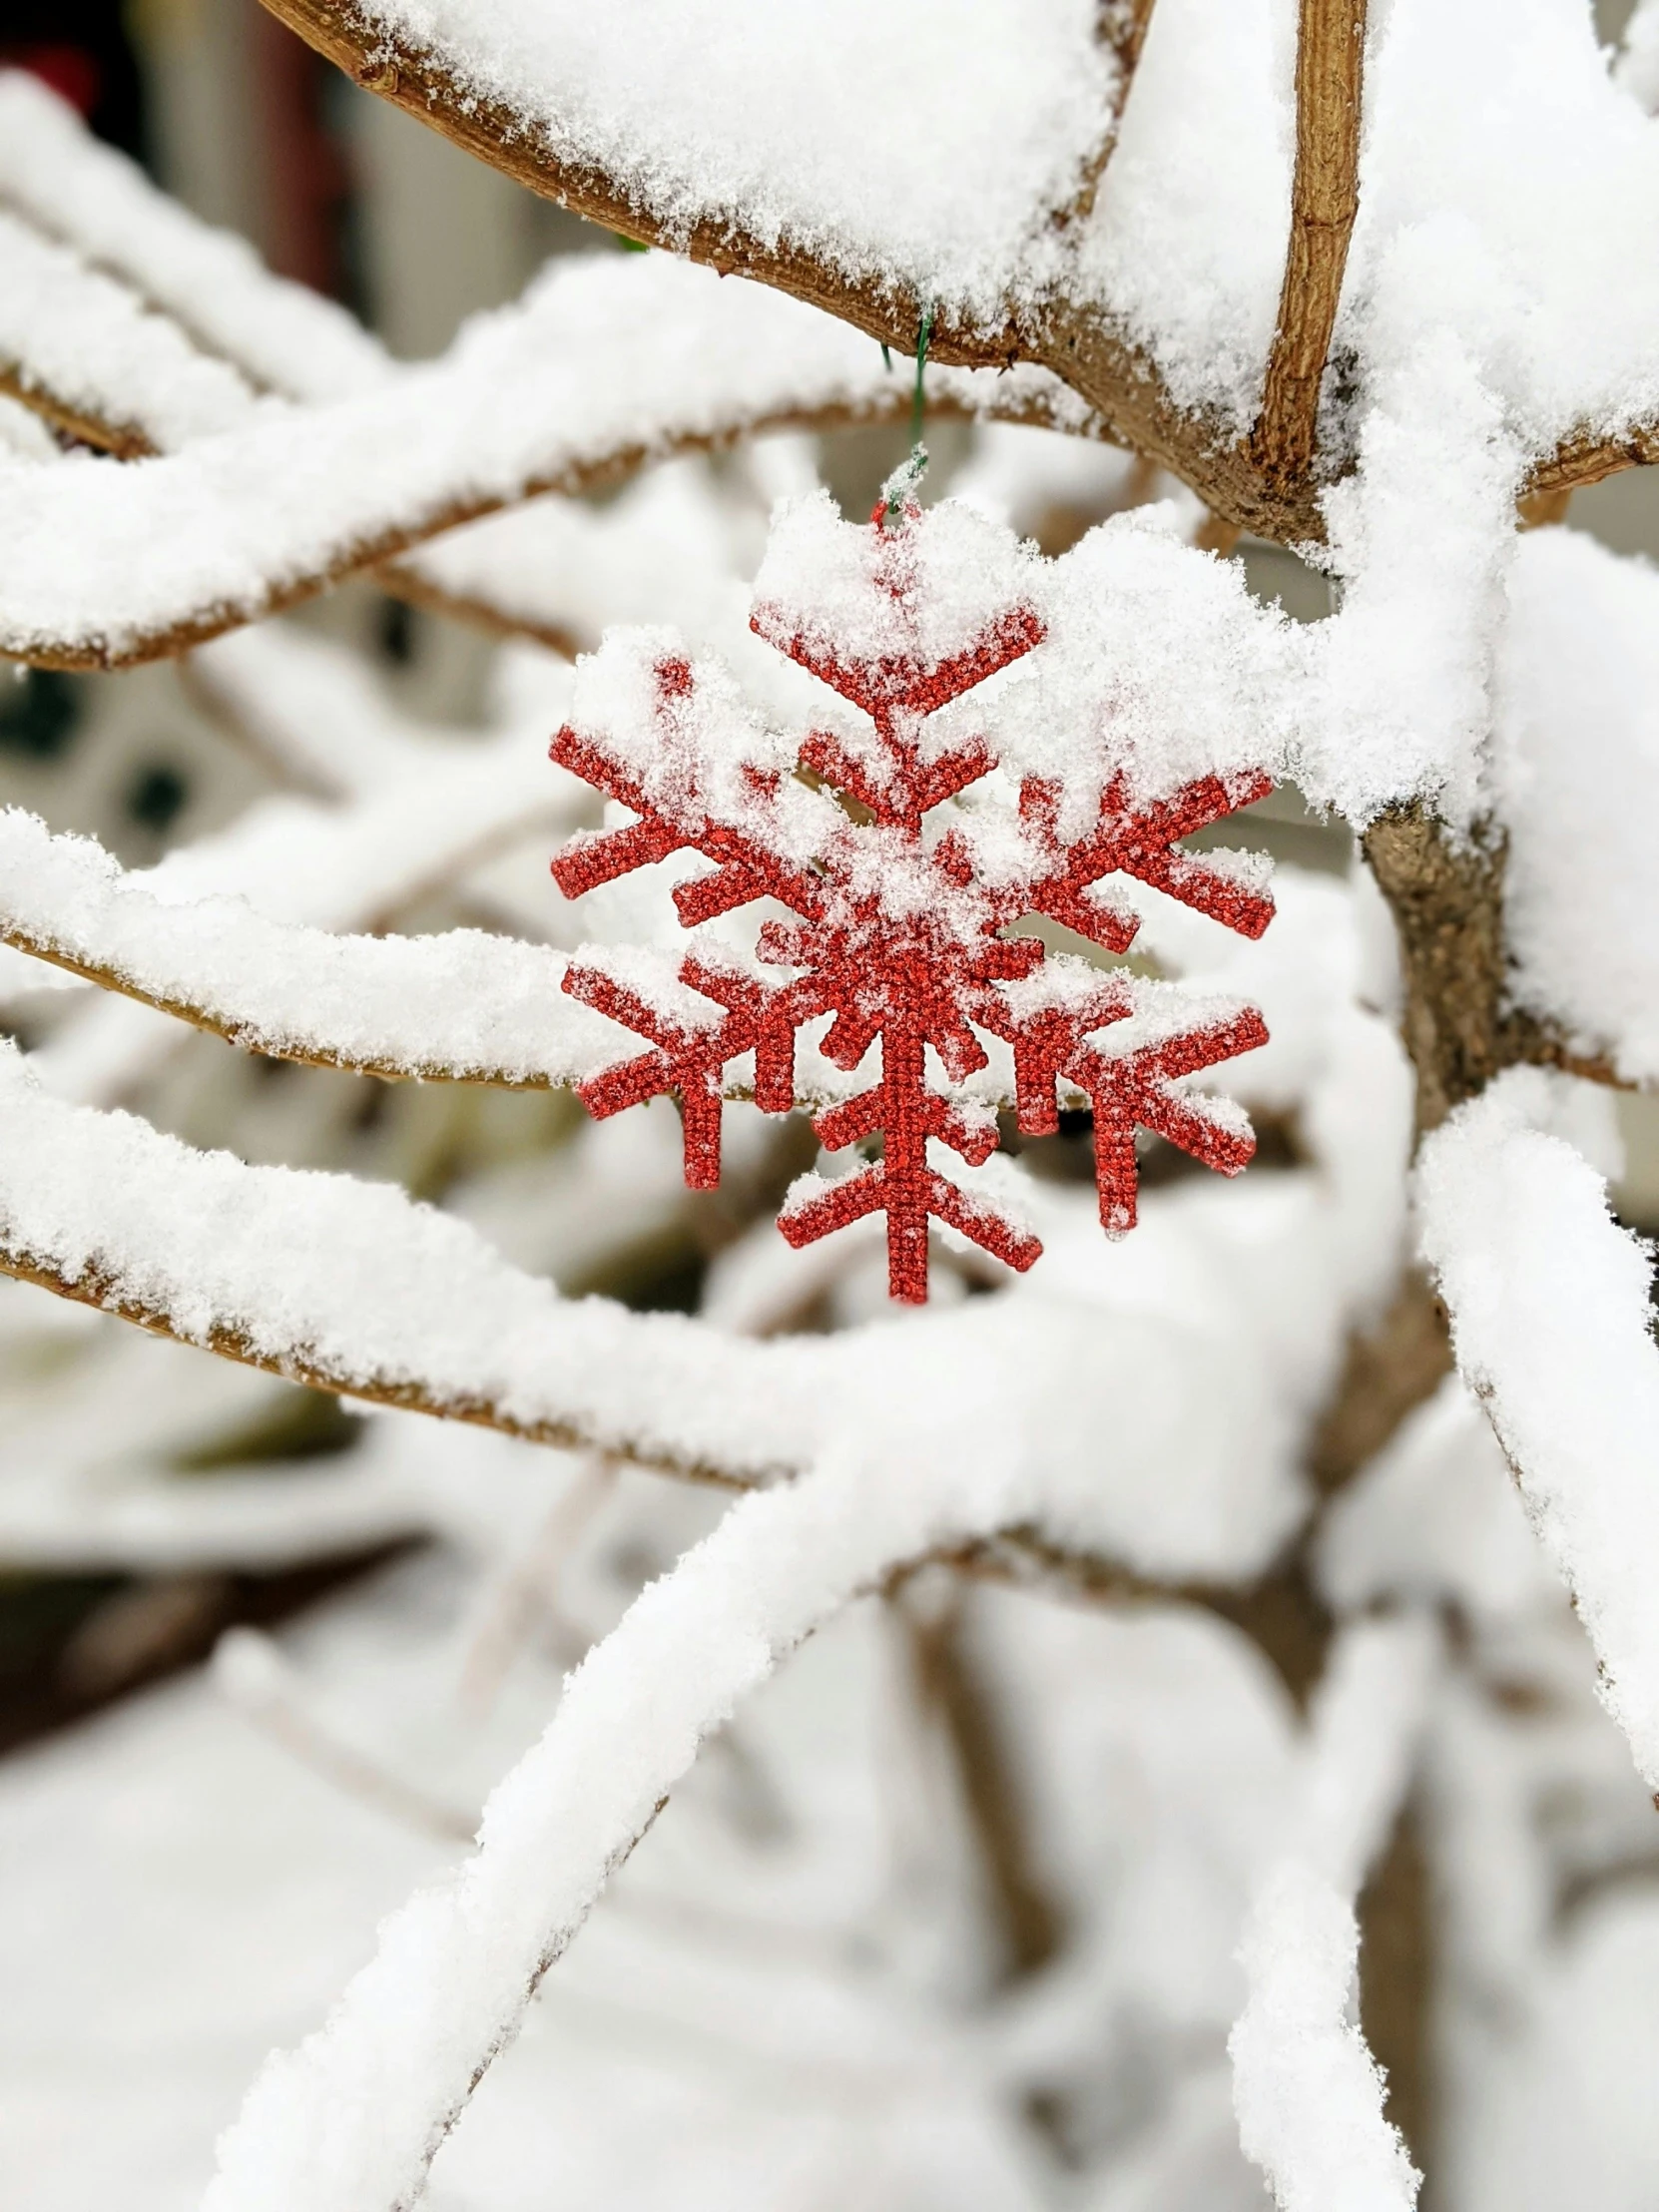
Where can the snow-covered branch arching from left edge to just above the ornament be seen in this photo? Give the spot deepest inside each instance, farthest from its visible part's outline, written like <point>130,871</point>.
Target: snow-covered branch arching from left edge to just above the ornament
<point>556,395</point>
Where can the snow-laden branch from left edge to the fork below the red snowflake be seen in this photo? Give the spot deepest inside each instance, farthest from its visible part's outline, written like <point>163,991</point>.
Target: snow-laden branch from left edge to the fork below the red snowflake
<point>353,1288</point>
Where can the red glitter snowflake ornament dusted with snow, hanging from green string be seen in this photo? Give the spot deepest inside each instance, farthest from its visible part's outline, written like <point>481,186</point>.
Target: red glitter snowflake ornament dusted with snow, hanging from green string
<point>897,864</point>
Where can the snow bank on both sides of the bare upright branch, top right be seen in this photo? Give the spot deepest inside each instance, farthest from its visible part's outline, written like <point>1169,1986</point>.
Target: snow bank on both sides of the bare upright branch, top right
<point>1505,225</point>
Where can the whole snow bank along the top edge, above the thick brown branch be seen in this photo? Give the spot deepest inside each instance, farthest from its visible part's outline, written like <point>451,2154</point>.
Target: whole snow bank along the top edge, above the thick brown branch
<point>1470,227</point>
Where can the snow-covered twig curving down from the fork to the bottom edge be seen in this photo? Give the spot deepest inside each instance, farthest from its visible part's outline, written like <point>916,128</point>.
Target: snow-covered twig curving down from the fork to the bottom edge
<point>355,2118</point>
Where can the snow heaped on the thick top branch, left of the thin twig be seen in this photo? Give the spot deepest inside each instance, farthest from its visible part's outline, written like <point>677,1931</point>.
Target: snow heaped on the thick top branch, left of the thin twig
<point>901,147</point>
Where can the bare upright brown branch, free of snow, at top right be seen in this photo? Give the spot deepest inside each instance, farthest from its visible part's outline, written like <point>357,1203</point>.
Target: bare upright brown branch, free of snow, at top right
<point>1324,202</point>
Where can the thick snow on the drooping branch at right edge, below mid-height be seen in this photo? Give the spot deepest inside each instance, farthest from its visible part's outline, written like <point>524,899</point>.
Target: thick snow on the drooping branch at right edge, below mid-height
<point>1552,1326</point>
